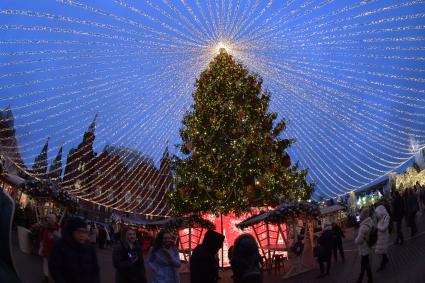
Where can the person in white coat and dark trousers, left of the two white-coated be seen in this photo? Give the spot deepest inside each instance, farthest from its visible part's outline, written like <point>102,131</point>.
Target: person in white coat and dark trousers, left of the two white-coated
<point>364,241</point>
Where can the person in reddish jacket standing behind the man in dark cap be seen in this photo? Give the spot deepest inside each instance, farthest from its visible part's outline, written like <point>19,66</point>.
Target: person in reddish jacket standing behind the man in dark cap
<point>48,235</point>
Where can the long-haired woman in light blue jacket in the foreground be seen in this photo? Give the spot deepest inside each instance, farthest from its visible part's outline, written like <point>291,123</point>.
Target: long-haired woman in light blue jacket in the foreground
<point>164,259</point>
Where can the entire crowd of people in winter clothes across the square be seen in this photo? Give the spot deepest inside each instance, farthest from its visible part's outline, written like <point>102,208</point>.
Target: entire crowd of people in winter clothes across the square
<point>69,254</point>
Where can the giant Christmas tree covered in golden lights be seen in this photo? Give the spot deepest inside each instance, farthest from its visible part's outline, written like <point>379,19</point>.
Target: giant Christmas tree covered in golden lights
<point>234,157</point>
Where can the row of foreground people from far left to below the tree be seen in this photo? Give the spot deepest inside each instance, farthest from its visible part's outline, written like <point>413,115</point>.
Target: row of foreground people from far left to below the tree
<point>70,256</point>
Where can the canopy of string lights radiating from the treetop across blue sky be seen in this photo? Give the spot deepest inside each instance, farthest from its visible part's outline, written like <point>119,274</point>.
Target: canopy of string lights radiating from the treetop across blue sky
<point>107,83</point>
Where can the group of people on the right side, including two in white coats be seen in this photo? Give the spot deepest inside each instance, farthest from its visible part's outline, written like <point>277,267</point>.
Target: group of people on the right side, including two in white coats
<point>376,224</point>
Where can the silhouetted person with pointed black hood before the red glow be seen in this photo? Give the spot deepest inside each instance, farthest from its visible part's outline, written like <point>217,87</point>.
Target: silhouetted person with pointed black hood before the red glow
<point>203,263</point>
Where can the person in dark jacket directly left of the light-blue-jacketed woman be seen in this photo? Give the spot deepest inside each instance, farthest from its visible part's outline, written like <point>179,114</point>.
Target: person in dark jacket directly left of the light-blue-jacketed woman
<point>128,261</point>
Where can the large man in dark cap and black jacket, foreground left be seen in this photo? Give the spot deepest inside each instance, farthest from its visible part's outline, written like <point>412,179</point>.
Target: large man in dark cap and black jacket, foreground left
<point>73,259</point>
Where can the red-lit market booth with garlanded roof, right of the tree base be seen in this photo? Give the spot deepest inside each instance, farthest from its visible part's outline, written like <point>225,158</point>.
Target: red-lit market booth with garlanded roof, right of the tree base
<point>291,222</point>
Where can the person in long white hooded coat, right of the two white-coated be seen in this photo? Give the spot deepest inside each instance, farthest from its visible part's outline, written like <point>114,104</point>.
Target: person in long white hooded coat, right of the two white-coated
<point>383,235</point>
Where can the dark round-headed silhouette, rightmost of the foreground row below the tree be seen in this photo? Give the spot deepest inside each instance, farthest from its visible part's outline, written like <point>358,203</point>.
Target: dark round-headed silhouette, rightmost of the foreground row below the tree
<point>246,260</point>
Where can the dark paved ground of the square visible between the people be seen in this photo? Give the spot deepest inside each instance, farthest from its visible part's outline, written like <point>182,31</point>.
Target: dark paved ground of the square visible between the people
<point>407,265</point>
